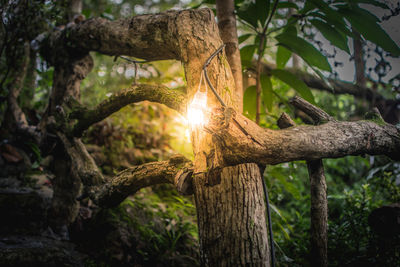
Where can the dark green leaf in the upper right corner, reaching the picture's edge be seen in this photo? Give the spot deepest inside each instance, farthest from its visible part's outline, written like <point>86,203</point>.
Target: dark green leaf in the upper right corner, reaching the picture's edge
<point>365,23</point>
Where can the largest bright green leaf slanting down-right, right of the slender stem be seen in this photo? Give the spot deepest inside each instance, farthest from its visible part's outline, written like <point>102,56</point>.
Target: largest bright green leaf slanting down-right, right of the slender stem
<point>305,50</point>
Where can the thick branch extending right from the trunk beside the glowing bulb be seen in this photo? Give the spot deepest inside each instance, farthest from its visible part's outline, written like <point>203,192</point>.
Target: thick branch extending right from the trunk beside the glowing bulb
<point>329,140</point>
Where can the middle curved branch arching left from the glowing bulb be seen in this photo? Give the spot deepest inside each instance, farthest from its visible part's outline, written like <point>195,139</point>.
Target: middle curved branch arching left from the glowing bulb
<point>155,93</point>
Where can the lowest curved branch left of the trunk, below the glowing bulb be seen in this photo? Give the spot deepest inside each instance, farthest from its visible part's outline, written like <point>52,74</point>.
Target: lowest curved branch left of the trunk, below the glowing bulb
<point>131,180</point>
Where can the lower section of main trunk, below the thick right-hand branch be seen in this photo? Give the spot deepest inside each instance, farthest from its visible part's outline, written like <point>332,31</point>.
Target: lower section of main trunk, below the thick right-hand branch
<point>231,217</point>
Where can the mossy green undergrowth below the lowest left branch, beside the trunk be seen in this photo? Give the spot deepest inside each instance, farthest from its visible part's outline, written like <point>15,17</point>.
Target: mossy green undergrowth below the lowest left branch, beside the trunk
<point>153,228</point>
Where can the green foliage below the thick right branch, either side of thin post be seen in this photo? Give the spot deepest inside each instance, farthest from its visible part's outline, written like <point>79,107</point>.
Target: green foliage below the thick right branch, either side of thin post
<point>353,192</point>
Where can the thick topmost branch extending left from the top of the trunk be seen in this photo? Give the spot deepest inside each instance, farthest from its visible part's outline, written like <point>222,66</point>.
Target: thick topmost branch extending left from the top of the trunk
<point>150,37</point>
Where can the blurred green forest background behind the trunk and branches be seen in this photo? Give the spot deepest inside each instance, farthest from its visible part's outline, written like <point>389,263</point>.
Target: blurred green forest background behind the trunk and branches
<point>157,226</point>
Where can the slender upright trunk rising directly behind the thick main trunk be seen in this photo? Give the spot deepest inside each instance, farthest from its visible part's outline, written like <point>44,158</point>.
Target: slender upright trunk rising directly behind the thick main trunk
<point>228,32</point>
